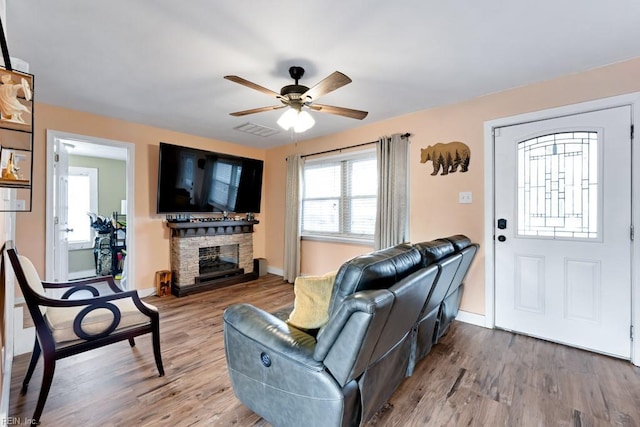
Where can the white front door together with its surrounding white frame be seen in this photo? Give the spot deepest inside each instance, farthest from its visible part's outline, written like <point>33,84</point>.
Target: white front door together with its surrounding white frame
<point>574,285</point>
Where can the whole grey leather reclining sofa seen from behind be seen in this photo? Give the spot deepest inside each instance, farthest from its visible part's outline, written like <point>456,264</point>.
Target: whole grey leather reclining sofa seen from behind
<point>387,309</point>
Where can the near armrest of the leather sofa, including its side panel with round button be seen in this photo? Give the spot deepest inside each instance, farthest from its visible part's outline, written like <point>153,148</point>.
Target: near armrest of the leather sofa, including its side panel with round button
<point>273,373</point>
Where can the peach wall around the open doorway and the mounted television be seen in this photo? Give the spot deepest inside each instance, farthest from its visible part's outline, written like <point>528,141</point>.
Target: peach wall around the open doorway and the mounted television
<point>151,234</point>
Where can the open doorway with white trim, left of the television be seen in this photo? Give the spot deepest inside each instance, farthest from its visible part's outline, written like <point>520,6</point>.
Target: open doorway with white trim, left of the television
<point>76,156</point>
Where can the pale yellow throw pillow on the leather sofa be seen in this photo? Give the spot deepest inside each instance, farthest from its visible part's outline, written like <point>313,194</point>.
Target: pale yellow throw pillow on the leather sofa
<point>311,303</point>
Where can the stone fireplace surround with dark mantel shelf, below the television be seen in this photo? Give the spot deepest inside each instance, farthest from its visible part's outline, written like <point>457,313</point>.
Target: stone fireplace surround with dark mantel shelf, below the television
<point>188,237</point>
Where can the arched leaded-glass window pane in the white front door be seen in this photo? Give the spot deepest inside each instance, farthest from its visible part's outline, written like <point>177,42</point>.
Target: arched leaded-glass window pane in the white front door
<point>558,188</point>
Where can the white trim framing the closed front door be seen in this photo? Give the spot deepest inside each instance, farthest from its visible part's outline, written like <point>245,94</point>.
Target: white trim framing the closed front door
<point>632,99</point>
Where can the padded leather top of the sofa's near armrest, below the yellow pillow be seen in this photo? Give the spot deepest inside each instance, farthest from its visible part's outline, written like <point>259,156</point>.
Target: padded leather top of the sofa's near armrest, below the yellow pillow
<point>273,334</point>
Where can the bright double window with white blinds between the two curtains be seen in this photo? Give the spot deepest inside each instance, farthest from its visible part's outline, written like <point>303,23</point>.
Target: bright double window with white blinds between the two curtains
<point>339,197</point>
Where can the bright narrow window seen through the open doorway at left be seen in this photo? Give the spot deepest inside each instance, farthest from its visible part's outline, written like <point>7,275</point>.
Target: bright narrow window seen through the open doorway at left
<point>82,198</point>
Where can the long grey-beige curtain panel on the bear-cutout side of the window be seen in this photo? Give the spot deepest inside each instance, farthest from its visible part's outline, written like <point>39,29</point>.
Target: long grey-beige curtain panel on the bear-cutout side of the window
<point>393,189</point>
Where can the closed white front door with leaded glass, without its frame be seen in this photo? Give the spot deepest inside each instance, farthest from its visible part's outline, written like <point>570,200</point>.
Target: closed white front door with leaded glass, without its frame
<point>562,231</point>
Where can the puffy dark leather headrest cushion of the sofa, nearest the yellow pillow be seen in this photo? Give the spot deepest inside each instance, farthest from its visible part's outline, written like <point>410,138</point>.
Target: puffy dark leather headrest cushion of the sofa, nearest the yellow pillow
<point>375,270</point>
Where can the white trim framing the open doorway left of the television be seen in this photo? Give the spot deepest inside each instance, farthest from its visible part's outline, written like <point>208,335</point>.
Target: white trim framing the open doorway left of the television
<point>130,162</point>
